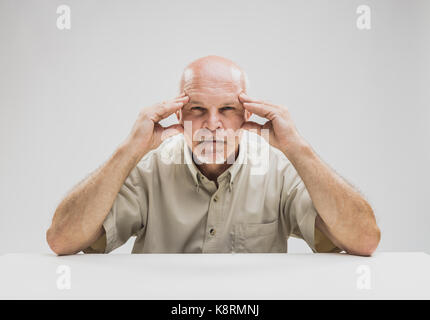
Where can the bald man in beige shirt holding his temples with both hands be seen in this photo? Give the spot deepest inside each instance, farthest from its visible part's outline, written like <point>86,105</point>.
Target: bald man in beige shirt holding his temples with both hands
<point>217,197</point>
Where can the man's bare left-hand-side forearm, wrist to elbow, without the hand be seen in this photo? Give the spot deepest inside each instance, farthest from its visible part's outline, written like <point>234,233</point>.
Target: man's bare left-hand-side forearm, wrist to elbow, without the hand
<point>78,220</point>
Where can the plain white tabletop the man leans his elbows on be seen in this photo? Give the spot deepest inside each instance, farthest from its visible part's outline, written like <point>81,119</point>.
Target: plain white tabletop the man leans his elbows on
<point>403,275</point>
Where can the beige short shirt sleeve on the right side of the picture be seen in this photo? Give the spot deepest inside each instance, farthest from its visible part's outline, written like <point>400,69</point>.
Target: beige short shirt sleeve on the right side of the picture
<point>300,214</point>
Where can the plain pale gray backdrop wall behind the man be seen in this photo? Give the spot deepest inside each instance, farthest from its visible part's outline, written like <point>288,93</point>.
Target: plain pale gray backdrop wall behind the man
<point>68,98</point>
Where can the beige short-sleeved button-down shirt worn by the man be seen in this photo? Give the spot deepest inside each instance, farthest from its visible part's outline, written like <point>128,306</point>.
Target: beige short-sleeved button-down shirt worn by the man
<point>171,207</point>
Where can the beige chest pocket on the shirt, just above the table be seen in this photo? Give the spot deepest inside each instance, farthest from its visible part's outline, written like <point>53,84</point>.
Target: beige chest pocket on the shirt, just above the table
<point>258,238</point>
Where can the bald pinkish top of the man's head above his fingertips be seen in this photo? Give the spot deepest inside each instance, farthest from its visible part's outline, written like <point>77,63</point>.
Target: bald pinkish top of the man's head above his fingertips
<point>213,72</point>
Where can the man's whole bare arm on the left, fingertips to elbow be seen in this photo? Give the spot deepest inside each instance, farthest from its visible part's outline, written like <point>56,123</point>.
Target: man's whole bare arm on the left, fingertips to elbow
<point>78,220</point>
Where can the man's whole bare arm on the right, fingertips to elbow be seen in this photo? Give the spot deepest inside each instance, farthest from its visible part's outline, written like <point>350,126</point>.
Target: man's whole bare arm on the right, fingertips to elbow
<point>344,216</point>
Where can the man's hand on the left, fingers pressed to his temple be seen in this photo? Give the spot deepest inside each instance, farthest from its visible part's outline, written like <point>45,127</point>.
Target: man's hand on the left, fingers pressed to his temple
<point>147,134</point>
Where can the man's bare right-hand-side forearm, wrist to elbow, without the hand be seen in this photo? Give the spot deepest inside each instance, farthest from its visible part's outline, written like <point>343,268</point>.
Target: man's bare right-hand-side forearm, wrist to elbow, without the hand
<point>346,214</point>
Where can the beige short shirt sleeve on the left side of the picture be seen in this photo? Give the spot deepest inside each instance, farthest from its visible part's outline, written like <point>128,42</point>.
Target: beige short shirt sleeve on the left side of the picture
<point>126,217</point>
